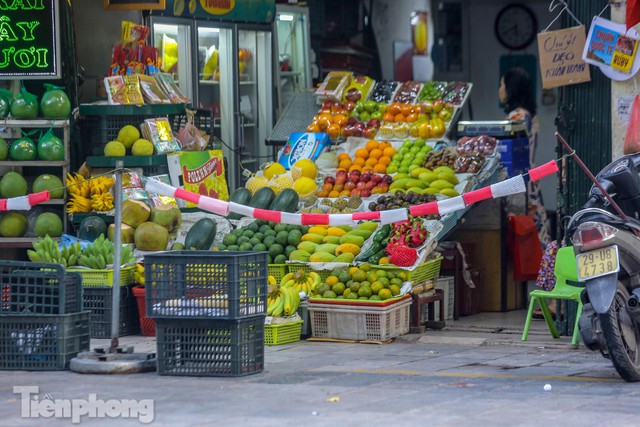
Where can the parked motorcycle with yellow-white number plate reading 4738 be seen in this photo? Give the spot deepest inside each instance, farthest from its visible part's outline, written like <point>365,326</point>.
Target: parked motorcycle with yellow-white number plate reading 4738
<point>606,239</point>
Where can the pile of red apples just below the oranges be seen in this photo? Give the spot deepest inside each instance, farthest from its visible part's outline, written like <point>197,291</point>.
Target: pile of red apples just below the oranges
<point>355,183</point>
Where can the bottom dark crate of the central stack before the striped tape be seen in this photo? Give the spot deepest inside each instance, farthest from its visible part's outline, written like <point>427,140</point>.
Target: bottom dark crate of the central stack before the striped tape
<point>210,347</point>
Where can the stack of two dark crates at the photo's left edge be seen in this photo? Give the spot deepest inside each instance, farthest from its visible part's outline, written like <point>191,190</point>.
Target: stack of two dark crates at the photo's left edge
<point>42,322</point>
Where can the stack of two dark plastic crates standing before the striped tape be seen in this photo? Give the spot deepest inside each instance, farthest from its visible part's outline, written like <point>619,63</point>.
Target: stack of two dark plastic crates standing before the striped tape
<point>209,308</point>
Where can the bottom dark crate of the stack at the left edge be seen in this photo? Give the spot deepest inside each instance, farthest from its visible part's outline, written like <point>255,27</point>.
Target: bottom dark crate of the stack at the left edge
<point>42,343</point>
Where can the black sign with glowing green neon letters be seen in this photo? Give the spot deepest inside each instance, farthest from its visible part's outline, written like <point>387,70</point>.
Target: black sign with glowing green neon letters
<point>29,39</point>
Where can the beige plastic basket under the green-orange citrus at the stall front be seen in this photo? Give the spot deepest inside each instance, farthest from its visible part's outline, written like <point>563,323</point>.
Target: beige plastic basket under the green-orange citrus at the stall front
<point>360,323</point>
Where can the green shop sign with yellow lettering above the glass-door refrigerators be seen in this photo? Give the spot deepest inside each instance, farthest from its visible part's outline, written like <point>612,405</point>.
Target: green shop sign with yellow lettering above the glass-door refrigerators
<point>257,11</point>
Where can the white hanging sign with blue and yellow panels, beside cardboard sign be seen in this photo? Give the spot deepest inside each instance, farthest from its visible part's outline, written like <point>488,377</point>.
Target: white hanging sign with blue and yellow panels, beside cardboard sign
<point>612,48</point>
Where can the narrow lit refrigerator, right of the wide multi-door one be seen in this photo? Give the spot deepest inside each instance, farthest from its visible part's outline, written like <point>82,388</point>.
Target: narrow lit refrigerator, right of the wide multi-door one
<point>294,53</point>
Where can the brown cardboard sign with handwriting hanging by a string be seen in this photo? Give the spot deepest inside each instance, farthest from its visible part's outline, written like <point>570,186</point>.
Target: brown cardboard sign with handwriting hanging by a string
<point>560,54</point>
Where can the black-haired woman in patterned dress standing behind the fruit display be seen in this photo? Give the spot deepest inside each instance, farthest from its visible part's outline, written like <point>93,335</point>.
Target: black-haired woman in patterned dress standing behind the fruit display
<point>516,94</point>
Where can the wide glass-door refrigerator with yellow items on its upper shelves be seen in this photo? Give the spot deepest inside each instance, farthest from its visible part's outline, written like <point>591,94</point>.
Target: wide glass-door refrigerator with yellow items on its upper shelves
<point>226,68</point>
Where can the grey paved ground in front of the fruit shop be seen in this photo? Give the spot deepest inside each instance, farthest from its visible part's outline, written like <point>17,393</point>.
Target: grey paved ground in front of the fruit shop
<point>475,372</point>
